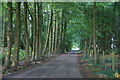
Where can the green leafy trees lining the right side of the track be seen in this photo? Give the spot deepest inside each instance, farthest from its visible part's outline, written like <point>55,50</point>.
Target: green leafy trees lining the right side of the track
<point>96,31</point>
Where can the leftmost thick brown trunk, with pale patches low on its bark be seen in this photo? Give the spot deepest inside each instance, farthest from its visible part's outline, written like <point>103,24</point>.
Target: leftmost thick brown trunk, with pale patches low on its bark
<point>9,34</point>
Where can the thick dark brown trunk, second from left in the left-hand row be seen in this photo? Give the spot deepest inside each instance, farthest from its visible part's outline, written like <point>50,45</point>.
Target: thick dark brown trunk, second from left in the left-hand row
<point>17,39</point>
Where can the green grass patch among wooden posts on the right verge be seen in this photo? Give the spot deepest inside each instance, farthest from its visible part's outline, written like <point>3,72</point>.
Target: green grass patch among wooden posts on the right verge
<point>101,68</point>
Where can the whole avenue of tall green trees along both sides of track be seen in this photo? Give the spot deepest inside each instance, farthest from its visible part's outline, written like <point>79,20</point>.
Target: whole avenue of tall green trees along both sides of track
<point>36,30</point>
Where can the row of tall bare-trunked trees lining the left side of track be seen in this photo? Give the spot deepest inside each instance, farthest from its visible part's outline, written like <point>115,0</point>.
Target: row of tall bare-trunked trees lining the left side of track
<point>32,31</point>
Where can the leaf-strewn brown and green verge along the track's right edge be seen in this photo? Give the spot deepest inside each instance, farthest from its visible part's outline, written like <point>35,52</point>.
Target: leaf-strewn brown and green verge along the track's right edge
<point>96,70</point>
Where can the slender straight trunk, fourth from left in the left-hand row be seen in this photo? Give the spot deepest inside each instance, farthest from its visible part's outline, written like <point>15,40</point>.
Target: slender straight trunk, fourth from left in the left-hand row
<point>34,41</point>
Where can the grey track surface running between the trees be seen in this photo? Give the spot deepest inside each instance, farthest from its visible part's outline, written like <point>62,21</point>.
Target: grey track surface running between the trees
<point>64,66</point>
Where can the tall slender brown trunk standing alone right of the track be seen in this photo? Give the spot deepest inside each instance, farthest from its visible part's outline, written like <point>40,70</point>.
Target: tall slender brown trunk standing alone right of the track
<point>94,33</point>
